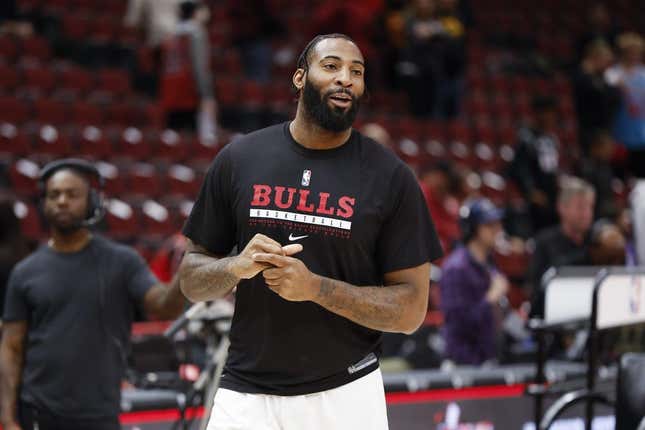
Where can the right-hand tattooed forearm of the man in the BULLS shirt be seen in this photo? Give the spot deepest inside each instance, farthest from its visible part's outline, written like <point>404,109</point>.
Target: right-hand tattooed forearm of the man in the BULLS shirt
<point>378,308</point>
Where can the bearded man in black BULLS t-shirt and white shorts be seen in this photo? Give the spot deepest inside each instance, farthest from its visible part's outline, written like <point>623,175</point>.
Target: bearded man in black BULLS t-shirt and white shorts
<point>336,243</point>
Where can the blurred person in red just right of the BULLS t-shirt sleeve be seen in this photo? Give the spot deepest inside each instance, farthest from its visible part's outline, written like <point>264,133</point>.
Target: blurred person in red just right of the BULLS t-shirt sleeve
<point>441,184</point>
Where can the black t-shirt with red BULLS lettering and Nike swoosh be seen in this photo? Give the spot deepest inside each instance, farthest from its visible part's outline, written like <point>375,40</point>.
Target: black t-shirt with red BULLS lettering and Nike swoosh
<point>358,212</point>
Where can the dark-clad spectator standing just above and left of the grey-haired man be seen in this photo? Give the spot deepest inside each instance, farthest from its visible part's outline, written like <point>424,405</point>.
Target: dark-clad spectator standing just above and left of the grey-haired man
<point>534,167</point>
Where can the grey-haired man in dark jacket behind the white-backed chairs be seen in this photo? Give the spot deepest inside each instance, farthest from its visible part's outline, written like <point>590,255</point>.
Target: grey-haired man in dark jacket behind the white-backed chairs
<point>566,244</point>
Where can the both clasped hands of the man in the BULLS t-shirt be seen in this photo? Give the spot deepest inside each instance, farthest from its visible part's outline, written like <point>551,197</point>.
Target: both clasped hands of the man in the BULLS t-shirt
<point>287,276</point>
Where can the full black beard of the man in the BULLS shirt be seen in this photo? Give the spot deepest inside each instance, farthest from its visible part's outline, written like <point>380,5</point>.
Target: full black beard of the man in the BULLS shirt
<point>331,118</point>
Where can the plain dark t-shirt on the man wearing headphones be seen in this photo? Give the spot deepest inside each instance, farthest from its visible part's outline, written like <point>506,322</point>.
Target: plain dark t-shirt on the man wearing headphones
<point>79,307</point>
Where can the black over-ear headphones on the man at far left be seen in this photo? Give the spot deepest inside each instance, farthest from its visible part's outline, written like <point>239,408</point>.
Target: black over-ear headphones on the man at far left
<point>95,200</point>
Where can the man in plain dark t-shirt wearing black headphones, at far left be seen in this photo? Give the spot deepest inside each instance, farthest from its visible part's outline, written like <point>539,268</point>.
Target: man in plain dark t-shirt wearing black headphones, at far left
<point>68,312</point>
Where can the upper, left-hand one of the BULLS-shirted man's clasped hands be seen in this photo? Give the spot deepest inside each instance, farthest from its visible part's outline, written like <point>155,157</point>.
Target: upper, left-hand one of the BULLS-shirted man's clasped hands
<point>243,265</point>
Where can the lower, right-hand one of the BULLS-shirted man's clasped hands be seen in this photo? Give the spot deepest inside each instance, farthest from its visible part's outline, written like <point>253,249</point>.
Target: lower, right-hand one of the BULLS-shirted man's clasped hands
<point>289,277</point>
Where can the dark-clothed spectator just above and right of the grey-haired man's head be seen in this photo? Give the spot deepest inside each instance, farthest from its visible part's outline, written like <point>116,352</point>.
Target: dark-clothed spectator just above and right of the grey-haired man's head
<point>595,167</point>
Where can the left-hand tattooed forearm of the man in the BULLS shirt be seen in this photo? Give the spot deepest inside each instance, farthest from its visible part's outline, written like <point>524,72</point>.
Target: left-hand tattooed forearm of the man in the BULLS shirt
<point>204,277</point>
